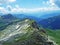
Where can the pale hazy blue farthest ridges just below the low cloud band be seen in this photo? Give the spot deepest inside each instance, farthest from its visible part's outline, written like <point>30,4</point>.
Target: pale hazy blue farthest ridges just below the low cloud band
<point>38,15</point>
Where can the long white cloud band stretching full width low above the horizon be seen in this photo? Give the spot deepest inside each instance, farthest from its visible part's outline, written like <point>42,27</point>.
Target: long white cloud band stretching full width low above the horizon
<point>18,9</point>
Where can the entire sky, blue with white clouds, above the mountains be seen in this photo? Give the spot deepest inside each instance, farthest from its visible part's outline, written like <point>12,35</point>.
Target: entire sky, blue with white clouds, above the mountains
<point>28,6</point>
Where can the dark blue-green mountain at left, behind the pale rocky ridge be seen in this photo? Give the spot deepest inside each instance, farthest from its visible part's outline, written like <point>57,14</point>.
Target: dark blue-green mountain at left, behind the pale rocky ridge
<point>6,20</point>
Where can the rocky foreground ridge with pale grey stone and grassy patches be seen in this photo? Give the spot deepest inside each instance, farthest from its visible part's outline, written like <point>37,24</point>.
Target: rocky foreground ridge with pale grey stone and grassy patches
<point>25,32</point>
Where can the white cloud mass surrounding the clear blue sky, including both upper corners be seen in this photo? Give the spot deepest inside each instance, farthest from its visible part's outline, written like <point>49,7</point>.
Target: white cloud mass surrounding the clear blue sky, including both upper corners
<point>18,9</point>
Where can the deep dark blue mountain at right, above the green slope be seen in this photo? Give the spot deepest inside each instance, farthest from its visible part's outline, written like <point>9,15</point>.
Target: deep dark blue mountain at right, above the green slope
<point>51,22</point>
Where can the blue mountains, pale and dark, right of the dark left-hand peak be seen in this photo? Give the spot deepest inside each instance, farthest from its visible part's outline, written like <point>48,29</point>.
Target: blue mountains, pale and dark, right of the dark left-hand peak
<point>47,20</point>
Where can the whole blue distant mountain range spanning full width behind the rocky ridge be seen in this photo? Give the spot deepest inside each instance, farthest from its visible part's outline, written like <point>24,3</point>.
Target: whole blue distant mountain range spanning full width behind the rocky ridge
<point>51,21</point>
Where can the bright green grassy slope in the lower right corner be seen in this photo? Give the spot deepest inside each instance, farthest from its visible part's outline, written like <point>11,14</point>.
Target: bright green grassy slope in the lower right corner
<point>55,34</point>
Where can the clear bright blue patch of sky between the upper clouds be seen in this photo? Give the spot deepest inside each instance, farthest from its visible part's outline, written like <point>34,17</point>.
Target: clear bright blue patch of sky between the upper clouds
<point>31,3</point>
